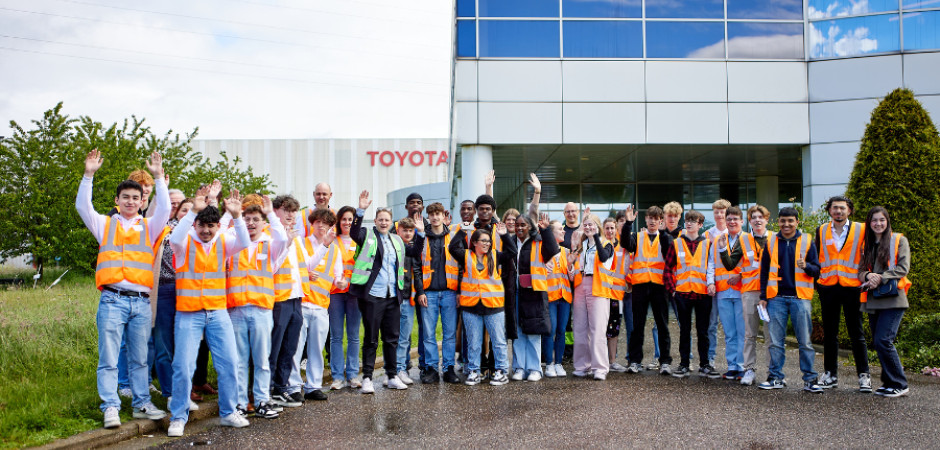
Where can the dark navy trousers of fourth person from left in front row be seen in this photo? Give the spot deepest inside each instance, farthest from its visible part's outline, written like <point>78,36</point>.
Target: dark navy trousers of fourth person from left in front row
<point>288,320</point>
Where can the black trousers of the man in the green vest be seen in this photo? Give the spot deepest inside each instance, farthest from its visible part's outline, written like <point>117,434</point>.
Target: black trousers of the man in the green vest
<point>380,314</point>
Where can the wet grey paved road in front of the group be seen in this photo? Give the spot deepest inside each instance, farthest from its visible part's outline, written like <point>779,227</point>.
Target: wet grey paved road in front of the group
<point>643,410</point>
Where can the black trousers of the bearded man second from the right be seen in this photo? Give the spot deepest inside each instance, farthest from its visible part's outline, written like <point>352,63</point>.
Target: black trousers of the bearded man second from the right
<point>834,300</point>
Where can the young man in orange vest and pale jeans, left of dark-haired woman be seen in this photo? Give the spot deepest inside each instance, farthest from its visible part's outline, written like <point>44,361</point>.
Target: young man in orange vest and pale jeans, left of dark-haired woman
<point>324,272</point>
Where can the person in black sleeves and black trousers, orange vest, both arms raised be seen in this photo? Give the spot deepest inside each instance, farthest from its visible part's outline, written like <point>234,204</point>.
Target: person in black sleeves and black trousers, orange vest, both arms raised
<point>649,248</point>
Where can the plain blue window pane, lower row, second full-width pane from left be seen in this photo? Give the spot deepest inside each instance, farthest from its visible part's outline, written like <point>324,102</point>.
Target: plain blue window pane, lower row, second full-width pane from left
<point>603,39</point>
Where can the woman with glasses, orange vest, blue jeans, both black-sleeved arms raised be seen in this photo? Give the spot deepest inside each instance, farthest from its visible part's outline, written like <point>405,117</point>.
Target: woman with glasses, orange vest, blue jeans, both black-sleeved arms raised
<point>482,297</point>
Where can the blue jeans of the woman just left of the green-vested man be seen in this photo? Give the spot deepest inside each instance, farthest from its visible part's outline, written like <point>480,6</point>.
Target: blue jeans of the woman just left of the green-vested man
<point>344,308</point>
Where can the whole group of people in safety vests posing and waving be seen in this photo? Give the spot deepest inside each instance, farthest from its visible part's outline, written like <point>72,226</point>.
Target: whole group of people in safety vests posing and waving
<point>263,284</point>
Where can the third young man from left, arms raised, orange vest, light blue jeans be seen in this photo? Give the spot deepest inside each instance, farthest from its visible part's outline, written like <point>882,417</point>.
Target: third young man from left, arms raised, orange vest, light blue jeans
<point>250,300</point>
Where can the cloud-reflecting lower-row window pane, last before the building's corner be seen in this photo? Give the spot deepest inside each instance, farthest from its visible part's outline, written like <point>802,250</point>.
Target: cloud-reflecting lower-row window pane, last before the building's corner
<point>755,40</point>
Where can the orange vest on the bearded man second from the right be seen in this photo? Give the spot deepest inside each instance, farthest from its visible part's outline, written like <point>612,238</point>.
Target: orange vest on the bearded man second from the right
<point>840,266</point>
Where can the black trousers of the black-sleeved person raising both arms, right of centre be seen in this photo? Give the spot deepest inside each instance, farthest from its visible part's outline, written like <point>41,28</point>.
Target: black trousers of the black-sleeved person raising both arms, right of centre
<point>648,295</point>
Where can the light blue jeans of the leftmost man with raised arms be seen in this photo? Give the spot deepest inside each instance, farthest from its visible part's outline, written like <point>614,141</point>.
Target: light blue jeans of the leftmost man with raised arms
<point>119,317</point>
